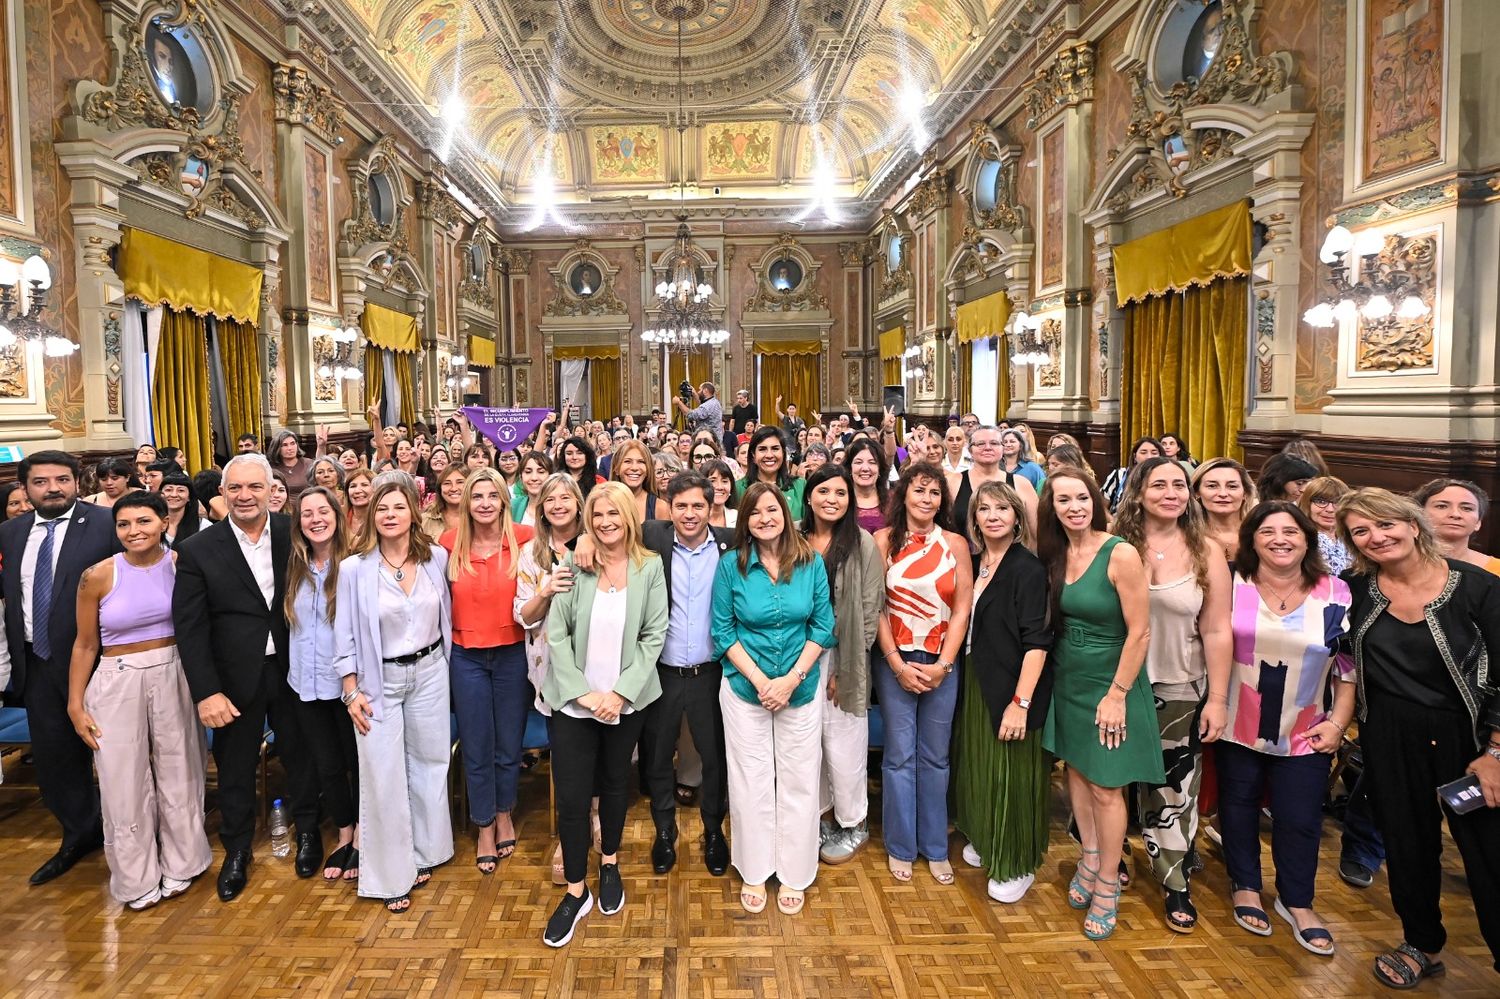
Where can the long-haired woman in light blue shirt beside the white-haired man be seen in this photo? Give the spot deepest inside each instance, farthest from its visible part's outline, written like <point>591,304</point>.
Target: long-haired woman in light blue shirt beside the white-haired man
<point>320,542</point>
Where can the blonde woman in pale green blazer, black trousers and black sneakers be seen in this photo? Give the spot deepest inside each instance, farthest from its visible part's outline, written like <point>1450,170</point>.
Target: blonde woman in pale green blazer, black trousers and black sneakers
<point>605,635</point>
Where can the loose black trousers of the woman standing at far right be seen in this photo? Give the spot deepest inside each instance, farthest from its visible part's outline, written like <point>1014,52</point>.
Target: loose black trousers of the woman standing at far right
<point>1411,752</point>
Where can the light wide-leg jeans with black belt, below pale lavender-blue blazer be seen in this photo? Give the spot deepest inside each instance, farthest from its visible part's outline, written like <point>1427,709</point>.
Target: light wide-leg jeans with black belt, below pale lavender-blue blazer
<point>404,776</point>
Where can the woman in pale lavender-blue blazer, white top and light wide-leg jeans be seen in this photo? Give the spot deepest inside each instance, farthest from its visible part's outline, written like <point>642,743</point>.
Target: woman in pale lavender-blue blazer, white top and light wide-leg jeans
<point>395,625</point>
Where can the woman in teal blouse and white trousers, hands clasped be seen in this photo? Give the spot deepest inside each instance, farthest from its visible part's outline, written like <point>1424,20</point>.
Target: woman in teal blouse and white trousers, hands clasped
<point>773,620</point>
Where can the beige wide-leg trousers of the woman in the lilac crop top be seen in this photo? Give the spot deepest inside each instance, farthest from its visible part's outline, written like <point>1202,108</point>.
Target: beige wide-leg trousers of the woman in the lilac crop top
<point>152,760</point>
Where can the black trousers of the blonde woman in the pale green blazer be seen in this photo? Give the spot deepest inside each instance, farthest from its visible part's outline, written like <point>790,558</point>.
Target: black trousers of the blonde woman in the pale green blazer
<point>592,758</point>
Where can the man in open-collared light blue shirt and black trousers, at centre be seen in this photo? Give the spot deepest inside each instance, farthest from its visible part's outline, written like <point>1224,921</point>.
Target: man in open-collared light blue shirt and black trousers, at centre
<point>689,673</point>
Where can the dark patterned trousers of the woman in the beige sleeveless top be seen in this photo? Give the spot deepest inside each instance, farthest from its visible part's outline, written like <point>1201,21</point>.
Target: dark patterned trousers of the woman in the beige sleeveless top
<point>1169,812</point>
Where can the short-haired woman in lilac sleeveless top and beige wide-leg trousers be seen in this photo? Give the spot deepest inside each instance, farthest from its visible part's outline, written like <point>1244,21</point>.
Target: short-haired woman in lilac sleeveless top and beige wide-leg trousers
<point>128,700</point>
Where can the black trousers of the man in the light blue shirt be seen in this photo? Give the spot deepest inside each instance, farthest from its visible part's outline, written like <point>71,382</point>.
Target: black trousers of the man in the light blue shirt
<point>698,700</point>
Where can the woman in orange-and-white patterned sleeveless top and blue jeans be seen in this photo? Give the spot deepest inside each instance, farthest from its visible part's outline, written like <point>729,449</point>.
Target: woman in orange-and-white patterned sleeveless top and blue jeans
<point>929,595</point>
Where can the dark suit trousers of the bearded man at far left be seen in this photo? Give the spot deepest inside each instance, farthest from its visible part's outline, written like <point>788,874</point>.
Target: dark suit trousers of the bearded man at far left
<point>64,763</point>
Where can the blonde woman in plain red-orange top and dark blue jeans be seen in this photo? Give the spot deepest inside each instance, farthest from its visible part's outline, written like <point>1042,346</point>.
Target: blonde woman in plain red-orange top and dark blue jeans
<point>490,661</point>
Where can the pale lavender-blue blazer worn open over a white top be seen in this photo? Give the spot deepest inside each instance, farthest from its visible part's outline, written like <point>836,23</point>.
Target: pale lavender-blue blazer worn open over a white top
<point>356,623</point>
